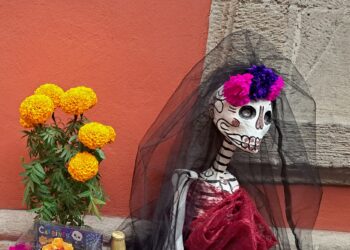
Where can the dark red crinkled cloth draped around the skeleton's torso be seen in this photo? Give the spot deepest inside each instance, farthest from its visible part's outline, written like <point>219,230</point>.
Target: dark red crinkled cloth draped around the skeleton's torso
<point>232,224</point>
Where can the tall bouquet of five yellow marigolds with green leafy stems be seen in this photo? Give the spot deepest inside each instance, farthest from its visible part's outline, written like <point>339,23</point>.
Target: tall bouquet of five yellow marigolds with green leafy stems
<point>62,182</point>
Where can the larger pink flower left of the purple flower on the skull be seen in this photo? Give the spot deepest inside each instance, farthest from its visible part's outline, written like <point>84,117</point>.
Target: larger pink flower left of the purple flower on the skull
<point>236,89</point>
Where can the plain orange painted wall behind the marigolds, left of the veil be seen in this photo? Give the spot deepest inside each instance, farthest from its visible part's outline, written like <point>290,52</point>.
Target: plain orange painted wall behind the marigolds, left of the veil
<point>133,53</point>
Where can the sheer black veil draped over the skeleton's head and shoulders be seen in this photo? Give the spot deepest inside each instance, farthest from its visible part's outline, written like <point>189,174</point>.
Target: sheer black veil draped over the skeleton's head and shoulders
<point>281,178</point>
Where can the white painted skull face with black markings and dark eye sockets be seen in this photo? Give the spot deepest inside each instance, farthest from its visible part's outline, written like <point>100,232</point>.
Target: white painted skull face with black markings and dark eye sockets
<point>244,126</point>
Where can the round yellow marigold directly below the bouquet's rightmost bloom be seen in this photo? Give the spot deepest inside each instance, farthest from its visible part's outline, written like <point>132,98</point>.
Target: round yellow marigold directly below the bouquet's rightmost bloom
<point>83,166</point>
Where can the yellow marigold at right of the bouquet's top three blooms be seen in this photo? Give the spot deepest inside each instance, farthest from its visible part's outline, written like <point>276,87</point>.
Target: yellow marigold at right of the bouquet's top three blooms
<point>76,101</point>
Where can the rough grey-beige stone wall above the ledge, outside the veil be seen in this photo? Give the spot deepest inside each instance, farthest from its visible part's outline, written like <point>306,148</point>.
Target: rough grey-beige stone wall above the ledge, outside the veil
<point>315,35</point>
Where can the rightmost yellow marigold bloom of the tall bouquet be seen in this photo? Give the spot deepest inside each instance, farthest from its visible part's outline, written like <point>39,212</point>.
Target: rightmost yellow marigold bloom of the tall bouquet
<point>95,135</point>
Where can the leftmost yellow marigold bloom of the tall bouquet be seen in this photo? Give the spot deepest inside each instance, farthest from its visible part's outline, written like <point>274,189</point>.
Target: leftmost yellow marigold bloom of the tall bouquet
<point>36,109</point>
